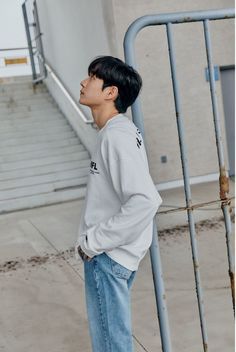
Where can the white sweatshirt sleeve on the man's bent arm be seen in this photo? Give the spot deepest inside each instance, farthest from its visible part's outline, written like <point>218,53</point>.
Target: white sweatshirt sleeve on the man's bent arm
<point>128,171</point>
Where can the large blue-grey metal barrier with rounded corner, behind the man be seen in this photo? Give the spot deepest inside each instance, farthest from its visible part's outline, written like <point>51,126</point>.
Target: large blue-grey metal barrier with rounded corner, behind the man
<point>168,20</point>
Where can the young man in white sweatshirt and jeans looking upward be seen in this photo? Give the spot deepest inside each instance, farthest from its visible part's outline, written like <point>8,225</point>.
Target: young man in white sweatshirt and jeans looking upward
<point>116,225</point>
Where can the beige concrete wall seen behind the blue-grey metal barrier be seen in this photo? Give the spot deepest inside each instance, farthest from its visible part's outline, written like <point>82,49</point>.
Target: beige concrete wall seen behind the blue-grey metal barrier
<point>157,96</point>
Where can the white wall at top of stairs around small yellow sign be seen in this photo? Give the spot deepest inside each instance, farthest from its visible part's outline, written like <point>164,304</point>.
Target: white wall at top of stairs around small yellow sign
<point>12,35</point>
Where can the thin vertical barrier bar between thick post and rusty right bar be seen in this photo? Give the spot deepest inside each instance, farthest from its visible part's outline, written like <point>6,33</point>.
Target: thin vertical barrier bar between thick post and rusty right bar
<point>182,143</point>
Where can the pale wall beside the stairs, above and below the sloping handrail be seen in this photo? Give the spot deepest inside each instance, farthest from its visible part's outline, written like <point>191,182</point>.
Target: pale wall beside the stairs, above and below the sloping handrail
<point>75,32</point>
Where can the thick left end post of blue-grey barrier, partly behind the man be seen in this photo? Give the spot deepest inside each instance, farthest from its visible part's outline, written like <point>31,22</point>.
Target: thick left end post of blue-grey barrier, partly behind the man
<point>155,257</point>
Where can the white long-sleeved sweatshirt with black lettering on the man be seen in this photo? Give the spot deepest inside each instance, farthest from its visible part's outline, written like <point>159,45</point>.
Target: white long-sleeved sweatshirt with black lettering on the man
<point>121,198</point>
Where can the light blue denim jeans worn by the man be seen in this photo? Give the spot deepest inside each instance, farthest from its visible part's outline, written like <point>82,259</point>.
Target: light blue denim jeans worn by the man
<point>107,288</point>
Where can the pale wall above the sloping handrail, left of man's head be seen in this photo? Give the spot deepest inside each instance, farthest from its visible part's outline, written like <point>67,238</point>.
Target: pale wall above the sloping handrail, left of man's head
<point>74,33</point>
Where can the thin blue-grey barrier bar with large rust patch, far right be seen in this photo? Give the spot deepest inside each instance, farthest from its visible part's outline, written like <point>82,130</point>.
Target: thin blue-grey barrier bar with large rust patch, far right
<point>224,180</point>
